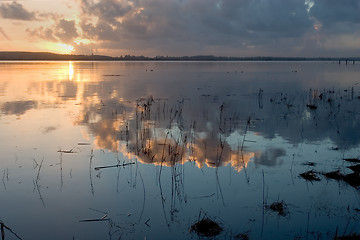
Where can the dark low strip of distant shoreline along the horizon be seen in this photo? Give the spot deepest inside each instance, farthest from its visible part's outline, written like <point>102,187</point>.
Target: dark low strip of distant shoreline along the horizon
<point>47,56</point>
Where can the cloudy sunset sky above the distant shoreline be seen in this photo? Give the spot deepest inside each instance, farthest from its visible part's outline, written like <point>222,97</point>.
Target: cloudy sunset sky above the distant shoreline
<point>289,28</point>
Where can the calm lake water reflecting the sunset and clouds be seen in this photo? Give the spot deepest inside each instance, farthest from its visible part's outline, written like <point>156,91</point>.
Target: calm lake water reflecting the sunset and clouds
<point>182,141</point>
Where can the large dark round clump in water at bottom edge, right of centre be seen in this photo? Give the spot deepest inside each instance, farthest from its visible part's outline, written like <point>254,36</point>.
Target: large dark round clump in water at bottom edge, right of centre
<point>206,227</point>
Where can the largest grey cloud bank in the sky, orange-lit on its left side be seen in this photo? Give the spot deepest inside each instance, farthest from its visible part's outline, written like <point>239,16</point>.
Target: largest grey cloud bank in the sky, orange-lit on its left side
<point>193,25</point>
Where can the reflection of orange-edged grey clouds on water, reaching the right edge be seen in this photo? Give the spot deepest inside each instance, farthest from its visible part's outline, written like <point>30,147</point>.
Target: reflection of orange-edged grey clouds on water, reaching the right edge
<point>167,132</point>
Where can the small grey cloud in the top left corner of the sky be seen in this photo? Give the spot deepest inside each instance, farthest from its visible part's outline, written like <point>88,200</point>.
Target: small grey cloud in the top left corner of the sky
<point>16,11</point>
